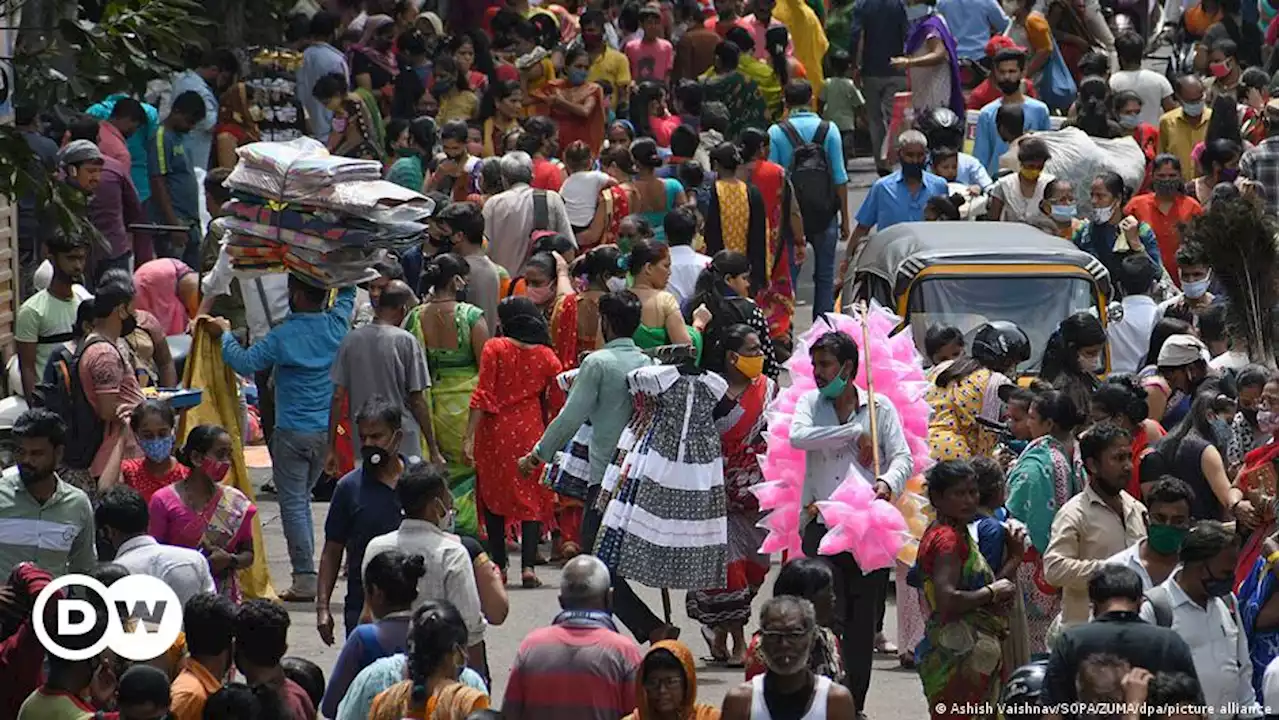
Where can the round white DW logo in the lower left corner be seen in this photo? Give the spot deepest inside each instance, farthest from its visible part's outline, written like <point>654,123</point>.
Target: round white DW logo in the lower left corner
<point>149,601</point>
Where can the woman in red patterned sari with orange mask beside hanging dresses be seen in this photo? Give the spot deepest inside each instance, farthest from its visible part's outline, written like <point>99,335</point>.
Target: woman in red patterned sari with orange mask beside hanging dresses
<point>742,422</point>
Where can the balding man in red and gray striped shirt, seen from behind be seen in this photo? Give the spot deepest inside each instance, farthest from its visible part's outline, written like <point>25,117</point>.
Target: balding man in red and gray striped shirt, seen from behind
<point>580,667</point>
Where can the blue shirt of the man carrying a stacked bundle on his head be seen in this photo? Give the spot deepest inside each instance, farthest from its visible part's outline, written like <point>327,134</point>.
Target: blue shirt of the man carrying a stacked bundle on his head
<point>301,349</point>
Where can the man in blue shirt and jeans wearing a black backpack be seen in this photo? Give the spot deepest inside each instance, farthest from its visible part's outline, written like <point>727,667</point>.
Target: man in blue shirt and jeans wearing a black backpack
<point>798,97</point>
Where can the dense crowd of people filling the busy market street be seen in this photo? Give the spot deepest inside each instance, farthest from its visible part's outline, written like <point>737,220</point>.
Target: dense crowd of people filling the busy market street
<point>588,344</point>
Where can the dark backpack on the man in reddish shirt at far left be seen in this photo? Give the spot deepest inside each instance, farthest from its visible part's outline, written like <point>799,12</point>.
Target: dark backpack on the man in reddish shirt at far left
<point>62,393</point>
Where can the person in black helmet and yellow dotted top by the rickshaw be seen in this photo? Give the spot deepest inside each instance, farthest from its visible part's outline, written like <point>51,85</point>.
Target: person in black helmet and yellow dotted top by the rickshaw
<point>967,391</point>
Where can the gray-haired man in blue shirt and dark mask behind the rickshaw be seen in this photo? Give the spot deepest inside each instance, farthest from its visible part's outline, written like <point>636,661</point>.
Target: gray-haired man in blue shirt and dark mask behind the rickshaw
<point>897,198</point>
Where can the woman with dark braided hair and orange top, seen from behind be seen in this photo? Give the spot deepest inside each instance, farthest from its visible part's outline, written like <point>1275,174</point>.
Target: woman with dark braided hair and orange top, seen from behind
<point>437,655</point>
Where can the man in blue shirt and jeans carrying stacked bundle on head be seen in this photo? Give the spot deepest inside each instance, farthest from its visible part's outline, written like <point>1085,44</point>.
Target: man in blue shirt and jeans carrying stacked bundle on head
<point>301,350</point>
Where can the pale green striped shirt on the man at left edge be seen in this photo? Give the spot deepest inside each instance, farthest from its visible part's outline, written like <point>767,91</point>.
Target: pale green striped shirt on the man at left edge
<point>57,536</point>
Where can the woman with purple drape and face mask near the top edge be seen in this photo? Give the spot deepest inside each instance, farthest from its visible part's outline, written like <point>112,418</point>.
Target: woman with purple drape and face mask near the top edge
<point>931,62</point>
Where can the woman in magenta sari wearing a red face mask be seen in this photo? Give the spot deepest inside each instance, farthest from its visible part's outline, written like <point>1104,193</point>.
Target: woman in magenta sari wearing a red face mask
<point>203,513</point>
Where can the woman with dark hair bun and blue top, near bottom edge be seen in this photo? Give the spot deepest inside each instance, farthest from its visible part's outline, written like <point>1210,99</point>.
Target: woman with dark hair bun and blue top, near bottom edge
<point>391,590</point>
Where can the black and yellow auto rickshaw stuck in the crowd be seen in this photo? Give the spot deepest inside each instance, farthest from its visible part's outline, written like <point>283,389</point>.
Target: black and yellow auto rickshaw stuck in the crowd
<point>966,275</point>
